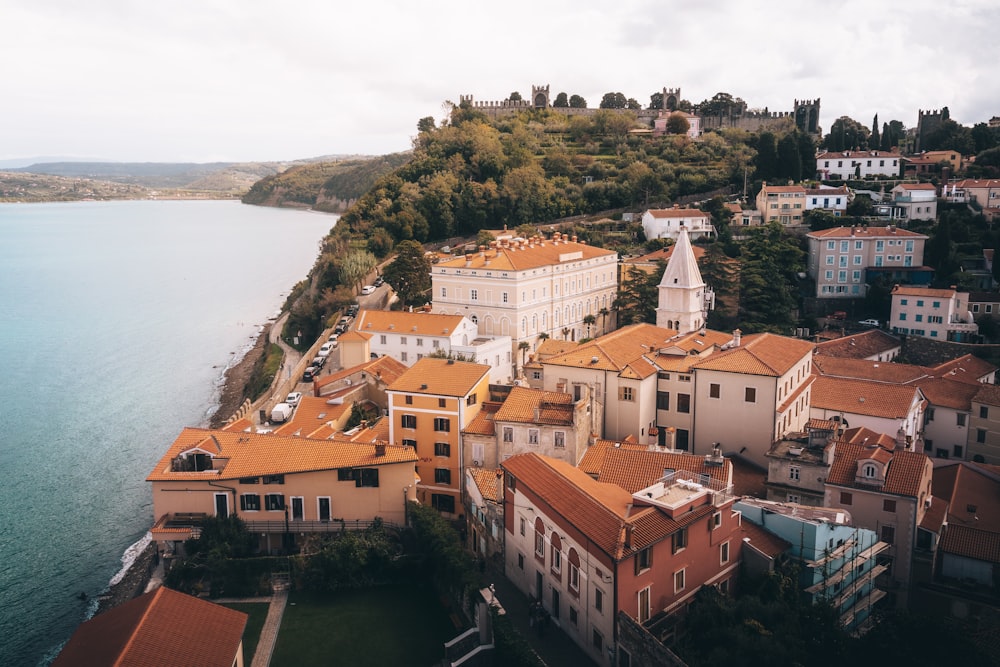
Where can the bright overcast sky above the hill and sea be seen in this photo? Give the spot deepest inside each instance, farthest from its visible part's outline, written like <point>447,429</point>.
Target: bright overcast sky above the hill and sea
<point>246,80</point>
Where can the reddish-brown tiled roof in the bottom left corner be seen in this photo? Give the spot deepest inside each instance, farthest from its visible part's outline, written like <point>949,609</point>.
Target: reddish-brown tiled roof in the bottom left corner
<point>163,627</point>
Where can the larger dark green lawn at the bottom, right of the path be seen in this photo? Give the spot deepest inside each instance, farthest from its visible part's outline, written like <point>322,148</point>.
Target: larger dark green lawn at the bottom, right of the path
<point>397,625</point>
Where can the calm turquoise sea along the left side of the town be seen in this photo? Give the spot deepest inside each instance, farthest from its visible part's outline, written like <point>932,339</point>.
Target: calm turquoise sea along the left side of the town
<point>117,321</point>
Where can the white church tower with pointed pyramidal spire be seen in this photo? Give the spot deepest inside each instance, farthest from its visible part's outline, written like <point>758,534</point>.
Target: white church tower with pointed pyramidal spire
<point>684,300</point>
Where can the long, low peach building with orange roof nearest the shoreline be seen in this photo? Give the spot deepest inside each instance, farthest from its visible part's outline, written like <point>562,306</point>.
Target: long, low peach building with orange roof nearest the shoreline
<point>283,487</point>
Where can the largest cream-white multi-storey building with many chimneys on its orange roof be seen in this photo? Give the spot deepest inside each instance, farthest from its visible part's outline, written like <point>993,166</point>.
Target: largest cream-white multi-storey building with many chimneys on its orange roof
<point>526,287</point>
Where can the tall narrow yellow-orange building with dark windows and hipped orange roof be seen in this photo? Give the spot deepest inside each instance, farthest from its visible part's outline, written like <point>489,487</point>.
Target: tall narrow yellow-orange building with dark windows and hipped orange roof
<point>429,406</point>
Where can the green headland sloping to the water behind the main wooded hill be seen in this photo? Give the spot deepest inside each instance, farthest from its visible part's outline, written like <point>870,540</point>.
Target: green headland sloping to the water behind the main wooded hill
<point>327,185</point>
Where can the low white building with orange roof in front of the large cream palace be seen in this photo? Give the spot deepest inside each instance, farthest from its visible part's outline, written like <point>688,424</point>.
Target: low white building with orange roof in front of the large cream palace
<point>409,337</point>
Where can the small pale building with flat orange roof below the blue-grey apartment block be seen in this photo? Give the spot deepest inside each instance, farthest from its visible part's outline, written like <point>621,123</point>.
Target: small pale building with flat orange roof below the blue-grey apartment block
<point>935,313</point>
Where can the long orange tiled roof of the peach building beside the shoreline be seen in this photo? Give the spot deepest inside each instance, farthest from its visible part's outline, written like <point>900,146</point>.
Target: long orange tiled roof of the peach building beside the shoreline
<point>256,454</point>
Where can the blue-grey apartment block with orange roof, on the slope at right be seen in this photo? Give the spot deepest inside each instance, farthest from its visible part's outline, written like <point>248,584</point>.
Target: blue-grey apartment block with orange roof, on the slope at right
<point>843,261</point>
